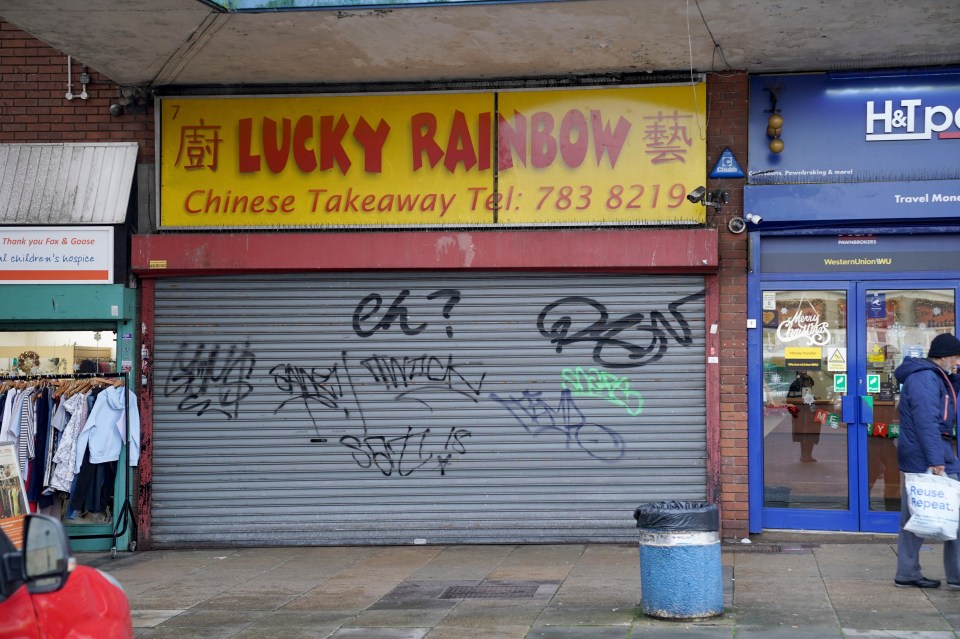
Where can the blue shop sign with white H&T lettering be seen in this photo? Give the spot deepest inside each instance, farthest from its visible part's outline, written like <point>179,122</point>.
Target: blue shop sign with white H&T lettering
<point>856,127</point>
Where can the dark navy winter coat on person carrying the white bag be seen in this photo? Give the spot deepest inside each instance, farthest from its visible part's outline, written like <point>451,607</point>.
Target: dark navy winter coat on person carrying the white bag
<point>928,411</point>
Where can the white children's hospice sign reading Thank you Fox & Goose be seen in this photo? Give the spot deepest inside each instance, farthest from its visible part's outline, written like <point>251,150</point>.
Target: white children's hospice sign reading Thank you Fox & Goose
<point>56,255</point>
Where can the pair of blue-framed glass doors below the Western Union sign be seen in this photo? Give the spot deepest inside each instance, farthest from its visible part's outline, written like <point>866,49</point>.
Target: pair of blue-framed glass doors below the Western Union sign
<point>823,457</point>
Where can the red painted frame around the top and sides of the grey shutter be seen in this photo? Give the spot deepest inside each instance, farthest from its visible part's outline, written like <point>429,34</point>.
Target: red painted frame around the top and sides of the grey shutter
<point>680,251</point>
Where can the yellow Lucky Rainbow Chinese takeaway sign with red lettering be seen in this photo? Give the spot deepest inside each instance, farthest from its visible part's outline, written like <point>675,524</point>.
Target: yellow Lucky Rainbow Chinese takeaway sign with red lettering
<point>602,156</point>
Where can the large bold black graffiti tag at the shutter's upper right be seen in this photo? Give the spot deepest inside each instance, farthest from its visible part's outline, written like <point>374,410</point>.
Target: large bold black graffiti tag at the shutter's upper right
<point>605,333</point>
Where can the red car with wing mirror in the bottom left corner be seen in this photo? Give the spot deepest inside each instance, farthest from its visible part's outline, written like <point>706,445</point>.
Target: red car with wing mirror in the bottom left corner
<point>44,594</point>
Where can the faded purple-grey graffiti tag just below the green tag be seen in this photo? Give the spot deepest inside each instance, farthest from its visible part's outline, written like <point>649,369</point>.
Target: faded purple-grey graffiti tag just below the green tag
<point>538,417</point>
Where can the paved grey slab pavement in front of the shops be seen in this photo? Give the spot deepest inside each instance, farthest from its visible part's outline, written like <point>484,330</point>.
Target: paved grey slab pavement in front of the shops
<point>811,588</point>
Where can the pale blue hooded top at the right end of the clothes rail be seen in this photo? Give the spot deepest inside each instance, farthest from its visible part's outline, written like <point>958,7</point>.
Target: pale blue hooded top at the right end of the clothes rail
<point>103,433</point>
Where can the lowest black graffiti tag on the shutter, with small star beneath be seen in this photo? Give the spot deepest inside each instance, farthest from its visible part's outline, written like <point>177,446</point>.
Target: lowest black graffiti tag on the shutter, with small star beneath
<point>407,453</point>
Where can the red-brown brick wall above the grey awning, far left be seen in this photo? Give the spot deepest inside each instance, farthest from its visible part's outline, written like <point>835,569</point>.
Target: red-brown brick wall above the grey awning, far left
<point>33,106</point>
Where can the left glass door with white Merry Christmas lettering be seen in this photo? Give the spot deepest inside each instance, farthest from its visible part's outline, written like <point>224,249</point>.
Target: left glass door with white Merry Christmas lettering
<point>808,480</point>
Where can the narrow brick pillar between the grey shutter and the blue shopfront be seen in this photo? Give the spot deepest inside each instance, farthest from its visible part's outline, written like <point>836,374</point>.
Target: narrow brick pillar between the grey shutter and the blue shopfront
<point>727,118</point>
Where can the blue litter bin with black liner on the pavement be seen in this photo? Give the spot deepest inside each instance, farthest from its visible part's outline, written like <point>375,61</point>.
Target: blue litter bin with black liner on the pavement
<point>681,575</point>
